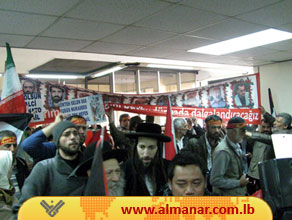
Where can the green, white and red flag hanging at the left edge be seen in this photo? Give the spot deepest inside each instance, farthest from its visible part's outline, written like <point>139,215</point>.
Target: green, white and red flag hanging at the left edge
<point>12,98</point>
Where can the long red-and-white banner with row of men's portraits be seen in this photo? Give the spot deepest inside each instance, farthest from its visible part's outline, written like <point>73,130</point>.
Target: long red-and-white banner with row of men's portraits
<point>237,97</point>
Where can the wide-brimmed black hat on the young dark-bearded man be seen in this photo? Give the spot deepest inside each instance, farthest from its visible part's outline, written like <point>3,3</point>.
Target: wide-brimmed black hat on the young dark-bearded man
<point>149,130</point>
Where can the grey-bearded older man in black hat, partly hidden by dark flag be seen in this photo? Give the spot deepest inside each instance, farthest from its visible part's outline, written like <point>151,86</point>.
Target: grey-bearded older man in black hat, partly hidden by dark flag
<point>111,163</point>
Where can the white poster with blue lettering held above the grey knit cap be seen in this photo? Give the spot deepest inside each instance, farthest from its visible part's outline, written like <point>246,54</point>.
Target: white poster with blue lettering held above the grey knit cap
<point>89,107</point>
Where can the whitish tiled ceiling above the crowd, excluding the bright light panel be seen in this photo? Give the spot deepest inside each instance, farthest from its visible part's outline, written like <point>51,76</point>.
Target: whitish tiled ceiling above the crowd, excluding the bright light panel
<point>139,29</point>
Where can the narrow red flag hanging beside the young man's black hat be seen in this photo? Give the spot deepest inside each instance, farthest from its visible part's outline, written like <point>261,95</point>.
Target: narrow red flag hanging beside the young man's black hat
<point>169,148</point>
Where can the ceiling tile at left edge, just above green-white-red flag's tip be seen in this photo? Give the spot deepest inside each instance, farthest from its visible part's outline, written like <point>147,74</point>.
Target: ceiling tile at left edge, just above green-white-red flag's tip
<point>14,40</point>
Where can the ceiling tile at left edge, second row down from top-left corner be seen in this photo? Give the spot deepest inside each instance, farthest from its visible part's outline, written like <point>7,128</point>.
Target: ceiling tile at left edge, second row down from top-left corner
<point>24,24</point>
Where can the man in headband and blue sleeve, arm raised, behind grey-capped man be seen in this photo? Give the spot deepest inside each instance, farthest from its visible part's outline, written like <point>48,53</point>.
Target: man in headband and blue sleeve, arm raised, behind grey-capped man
<point>37,145</point>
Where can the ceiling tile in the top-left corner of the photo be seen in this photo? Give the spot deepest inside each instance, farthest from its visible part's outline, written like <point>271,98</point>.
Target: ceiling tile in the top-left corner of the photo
<point>39,6</point>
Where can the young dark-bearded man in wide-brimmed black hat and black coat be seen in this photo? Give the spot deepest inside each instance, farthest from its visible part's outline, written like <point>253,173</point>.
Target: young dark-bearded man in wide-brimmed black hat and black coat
<point>145,173</point>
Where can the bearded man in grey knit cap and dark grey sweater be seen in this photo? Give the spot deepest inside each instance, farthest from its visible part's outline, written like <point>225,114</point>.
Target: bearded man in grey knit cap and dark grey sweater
<point>56,176</point>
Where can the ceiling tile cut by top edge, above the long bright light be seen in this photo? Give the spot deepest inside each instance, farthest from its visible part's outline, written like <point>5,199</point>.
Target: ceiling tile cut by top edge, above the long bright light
<point>228,7</point>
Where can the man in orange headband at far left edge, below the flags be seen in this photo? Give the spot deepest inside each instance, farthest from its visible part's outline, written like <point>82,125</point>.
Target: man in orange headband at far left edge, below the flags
<point>20,171</point>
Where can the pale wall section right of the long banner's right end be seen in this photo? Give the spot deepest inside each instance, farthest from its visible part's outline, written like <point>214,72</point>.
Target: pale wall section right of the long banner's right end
<point>278,77</point>
